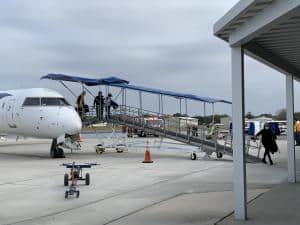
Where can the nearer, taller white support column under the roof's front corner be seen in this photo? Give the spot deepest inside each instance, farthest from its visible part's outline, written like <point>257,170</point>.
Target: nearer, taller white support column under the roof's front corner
<point>238,145</point>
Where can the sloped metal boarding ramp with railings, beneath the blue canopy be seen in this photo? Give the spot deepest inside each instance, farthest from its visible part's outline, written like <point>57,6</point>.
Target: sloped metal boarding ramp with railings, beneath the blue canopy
<point>134,118</point>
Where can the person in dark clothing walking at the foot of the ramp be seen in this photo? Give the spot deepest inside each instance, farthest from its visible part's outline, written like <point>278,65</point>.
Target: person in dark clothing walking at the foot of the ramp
<point>268,141</point>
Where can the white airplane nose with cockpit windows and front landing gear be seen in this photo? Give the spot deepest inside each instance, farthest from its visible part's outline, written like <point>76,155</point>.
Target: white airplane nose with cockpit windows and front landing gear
<point>39,113</point>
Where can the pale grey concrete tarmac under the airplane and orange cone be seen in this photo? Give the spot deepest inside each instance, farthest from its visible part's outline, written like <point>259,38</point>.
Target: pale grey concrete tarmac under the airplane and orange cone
<point>172,190</point>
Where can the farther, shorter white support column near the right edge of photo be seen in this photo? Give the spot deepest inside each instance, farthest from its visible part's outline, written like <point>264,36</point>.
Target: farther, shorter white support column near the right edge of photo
<point>290,129</point>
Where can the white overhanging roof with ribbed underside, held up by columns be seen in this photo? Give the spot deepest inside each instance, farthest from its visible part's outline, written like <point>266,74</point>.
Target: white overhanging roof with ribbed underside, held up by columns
<point>269,31</point>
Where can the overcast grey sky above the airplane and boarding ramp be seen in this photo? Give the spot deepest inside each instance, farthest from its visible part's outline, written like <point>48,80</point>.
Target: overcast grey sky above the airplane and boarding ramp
<point>165,44</point>
